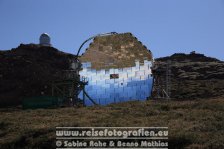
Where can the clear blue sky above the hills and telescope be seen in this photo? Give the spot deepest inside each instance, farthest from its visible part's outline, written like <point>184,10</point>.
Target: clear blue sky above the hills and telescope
<point>164,26</point>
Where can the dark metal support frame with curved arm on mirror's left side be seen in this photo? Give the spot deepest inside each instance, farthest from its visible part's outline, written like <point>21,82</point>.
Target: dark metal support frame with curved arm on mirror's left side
<point>72,85</point>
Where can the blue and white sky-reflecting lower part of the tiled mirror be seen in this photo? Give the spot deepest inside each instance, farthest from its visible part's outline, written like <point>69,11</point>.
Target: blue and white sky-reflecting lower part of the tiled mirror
<point>133,83</point>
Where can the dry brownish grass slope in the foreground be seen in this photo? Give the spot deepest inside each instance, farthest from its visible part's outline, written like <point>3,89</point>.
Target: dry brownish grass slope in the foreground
<point>192,124</point>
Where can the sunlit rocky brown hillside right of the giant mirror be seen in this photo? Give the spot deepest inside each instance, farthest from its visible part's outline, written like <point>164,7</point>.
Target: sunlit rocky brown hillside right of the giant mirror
<point>194,75</point>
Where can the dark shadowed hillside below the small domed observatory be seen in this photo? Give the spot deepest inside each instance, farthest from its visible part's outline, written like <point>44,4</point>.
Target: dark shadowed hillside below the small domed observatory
<point>28,70</point>
